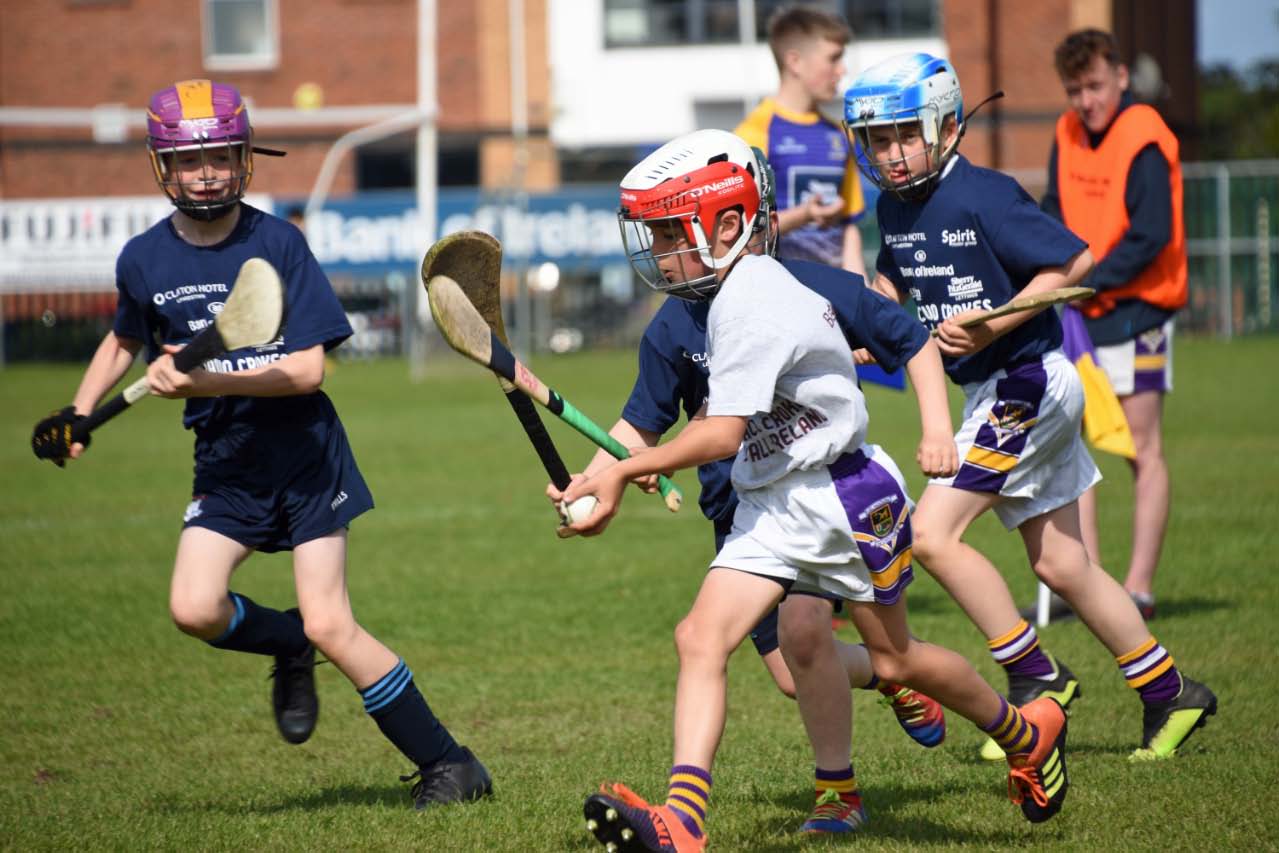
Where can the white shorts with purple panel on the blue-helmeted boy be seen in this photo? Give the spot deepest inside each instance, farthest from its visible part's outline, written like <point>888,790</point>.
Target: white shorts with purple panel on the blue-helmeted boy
<point>1021,439</point>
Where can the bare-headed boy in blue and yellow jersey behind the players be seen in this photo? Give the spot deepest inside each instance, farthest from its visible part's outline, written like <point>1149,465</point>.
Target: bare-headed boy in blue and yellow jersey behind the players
<point>818,186</point>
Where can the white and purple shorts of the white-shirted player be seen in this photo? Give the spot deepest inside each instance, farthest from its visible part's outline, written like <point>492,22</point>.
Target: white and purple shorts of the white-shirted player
<point>842,530</point>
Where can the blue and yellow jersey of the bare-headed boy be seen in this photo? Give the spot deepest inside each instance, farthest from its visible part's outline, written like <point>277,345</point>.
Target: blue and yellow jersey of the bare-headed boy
<point>810,157</point>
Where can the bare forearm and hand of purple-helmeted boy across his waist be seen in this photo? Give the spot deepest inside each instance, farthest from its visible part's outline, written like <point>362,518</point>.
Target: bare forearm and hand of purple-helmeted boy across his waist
<point>301,373</point>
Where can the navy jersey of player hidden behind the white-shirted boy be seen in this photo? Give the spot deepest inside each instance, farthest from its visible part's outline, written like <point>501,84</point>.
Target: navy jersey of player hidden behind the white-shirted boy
<point>673,369</point>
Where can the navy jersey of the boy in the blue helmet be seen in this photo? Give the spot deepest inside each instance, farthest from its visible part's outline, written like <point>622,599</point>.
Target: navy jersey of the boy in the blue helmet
<point>975,242</point>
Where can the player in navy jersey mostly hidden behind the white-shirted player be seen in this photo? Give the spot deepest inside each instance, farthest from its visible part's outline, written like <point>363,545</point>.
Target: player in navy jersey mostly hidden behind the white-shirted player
<point>673,377</point>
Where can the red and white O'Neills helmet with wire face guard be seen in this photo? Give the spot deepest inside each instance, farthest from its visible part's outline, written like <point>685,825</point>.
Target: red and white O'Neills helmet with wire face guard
<point>690,182</point>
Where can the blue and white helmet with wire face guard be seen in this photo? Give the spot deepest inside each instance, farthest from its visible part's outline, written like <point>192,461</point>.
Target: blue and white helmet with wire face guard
<point>896,94</point>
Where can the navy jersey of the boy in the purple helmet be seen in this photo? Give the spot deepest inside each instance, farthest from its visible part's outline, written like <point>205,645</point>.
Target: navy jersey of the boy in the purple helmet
<point>169,291</point>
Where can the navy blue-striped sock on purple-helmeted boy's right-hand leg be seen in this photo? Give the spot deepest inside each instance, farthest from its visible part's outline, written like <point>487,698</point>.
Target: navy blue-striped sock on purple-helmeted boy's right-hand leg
<point>406,719</point>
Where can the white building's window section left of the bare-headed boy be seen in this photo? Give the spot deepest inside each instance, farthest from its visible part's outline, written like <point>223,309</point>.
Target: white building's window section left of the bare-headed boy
<point>636,24</point>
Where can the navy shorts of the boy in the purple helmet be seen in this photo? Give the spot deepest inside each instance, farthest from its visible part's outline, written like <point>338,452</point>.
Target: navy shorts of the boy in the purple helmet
<point>276,487</point>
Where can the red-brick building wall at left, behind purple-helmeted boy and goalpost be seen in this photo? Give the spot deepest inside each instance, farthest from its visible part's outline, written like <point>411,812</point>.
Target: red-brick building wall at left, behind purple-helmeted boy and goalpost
<point>84,53</point>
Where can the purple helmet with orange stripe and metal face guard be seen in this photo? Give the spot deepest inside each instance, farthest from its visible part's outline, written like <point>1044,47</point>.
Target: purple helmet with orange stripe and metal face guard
<point>201,148</point>
